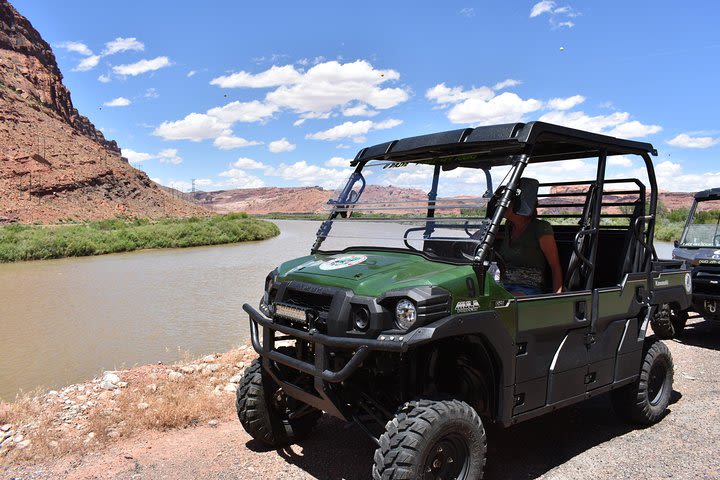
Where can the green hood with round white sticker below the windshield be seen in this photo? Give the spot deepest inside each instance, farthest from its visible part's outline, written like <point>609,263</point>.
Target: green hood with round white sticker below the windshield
<point>374,273</point>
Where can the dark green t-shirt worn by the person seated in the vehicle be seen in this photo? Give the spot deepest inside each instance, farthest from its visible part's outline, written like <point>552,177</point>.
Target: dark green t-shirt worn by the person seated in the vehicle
<point>525,262</point>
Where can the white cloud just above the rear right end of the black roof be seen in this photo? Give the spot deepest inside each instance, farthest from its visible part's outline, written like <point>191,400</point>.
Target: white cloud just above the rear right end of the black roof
<point>616,124</point>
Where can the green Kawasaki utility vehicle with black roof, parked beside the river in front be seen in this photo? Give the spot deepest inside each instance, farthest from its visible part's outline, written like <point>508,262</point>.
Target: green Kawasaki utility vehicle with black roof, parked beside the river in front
<point>398,319</point>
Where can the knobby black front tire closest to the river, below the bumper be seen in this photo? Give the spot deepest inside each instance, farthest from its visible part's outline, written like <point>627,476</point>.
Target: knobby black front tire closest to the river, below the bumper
<point>267,419</point>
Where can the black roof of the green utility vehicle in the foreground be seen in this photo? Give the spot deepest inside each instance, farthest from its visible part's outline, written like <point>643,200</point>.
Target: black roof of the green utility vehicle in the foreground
<point>495,144</point>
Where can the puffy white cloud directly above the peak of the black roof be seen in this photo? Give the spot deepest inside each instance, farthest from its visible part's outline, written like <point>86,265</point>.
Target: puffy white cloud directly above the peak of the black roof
<point>504,108</point>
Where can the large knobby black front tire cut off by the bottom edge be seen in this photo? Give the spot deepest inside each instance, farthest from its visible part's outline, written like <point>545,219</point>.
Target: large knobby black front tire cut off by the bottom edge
<point>432,439</point>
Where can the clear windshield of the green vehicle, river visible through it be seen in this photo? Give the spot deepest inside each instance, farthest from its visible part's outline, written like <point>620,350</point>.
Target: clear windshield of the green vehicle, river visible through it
<point>410,206</point>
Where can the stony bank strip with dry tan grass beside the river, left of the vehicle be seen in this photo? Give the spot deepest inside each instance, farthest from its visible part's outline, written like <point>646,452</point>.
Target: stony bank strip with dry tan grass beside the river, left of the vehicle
<point>85,417</point>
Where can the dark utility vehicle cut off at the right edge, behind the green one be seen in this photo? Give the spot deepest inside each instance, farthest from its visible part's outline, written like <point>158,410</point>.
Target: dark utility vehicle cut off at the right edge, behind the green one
<point>700,247</point>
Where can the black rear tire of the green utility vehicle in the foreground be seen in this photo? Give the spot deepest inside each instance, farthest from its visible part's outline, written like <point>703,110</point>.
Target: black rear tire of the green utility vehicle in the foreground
<point>645,401</point>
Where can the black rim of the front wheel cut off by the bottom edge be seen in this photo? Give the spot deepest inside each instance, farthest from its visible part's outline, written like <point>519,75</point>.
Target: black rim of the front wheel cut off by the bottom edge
<point>449,458</point>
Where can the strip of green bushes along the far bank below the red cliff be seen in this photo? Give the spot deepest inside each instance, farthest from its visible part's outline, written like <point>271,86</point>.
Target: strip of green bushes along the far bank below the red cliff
<point>41,242</point>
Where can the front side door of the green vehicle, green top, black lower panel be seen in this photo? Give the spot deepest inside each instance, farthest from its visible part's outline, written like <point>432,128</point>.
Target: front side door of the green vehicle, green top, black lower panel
<point>552,356</point>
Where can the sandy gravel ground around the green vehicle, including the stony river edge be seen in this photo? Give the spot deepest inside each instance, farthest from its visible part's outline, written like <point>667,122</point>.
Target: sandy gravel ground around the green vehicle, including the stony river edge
<point>574,443</point>
